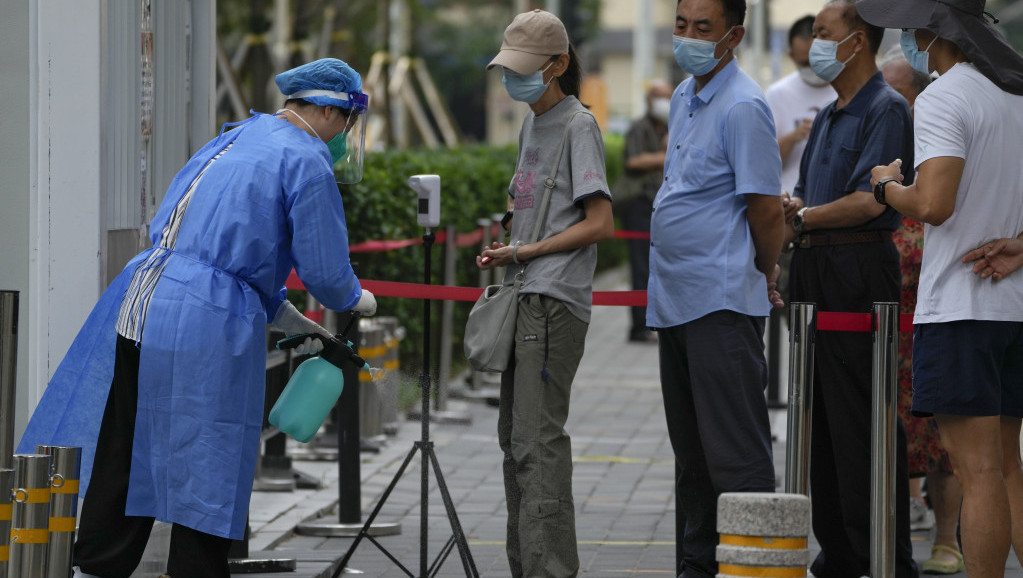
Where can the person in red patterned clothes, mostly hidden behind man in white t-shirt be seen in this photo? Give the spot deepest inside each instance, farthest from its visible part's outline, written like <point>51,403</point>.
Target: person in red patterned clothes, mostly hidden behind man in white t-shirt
<point>927,458</point>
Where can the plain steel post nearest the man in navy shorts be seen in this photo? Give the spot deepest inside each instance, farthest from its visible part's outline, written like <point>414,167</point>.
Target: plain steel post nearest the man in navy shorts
<point>884,397</point>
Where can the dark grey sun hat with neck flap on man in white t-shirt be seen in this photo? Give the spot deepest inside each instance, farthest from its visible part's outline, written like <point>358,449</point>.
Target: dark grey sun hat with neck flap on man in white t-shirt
<point>962,22</point>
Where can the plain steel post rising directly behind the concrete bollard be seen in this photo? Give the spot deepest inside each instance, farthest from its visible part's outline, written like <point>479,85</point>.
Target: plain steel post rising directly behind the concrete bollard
<point>803,333</point>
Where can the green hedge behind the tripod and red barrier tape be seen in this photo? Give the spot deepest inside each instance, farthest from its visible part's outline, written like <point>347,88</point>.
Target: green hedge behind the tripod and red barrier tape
<point>474,185</point>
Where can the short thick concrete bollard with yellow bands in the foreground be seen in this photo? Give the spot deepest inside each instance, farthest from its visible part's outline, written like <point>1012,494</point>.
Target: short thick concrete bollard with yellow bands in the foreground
<point>764,535</point>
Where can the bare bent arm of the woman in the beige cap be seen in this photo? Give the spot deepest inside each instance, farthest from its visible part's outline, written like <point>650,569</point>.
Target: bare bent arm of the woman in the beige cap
<point>599,225</point>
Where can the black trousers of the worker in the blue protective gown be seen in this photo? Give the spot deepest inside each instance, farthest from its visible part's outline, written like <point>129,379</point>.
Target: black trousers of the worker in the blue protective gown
<point>110,544</point>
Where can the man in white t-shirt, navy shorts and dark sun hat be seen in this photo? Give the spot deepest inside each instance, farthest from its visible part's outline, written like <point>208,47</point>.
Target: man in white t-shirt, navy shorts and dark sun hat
<point>968,332</point>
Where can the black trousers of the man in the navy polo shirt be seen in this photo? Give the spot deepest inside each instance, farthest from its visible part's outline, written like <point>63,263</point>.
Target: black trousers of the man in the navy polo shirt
<point>849,279</point>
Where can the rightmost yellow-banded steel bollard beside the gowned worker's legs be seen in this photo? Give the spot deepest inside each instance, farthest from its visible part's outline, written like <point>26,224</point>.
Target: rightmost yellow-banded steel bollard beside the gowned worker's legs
<point>64,507</point>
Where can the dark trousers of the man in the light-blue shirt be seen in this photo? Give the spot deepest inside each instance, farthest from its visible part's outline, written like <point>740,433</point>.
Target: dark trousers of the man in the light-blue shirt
<point>714,375</point>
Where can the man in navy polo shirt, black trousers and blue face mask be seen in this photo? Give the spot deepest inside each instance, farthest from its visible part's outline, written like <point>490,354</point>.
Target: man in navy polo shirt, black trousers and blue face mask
<point>846,261</point>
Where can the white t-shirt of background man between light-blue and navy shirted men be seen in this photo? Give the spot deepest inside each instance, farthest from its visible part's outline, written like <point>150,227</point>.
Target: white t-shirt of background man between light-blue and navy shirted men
<point>793,102</point>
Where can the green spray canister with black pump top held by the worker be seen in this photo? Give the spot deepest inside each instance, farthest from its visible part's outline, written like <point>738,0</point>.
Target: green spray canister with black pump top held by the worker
<point>315,387</point>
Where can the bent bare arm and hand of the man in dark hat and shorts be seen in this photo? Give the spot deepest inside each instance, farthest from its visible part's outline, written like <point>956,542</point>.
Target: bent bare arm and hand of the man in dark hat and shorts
<point>932,198</point>
